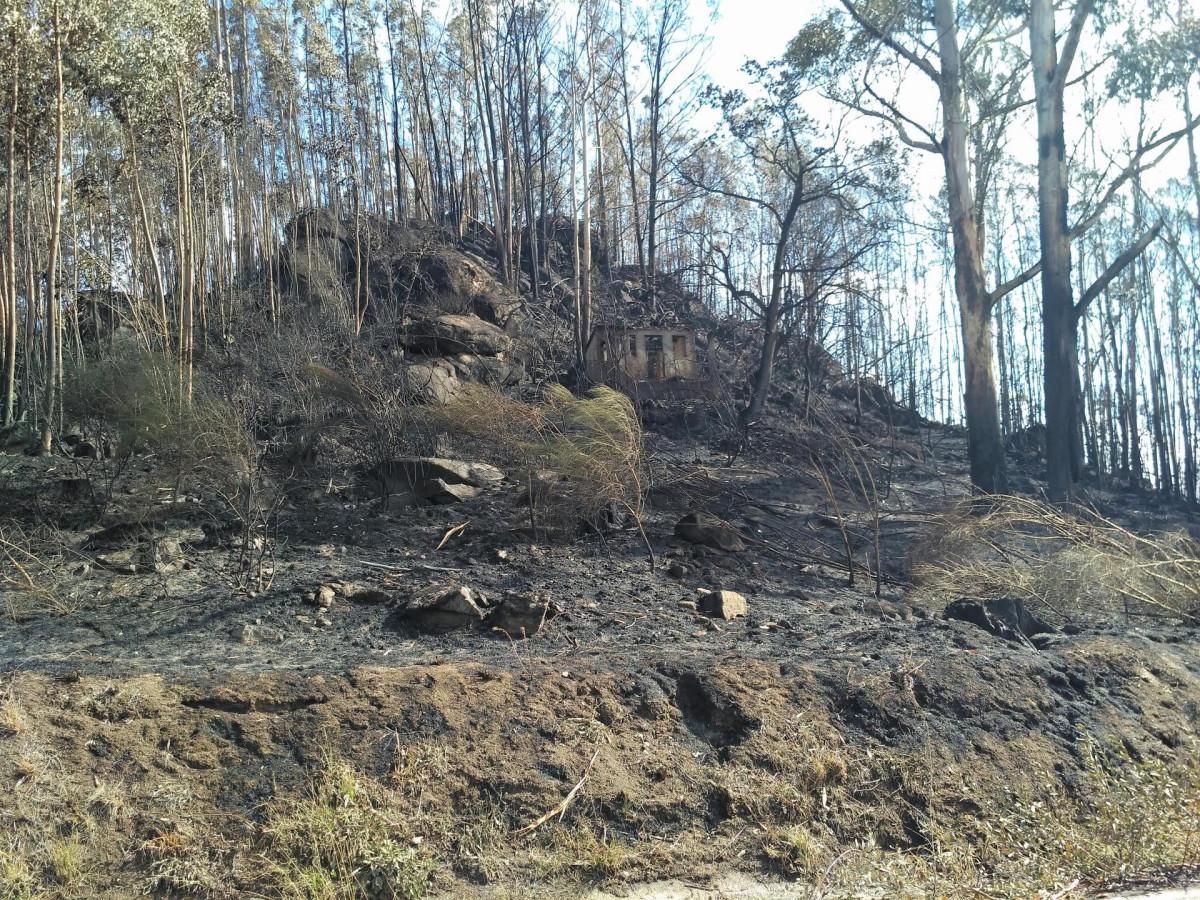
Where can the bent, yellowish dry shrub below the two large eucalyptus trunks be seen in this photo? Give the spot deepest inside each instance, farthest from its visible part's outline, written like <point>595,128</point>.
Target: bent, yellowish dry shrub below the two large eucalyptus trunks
<point>1066,566</point>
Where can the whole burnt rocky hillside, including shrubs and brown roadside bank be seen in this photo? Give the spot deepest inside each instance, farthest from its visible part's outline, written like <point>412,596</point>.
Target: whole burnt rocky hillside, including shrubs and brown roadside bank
<point>340,653</point>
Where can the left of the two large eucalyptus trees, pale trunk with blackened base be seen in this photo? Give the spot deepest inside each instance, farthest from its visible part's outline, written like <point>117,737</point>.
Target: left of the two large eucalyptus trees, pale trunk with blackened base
<point>867,55</point>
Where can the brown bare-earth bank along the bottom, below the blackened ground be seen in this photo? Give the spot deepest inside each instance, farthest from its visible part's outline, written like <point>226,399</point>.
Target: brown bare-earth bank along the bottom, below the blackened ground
<point>691,770</point>
